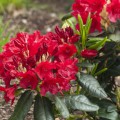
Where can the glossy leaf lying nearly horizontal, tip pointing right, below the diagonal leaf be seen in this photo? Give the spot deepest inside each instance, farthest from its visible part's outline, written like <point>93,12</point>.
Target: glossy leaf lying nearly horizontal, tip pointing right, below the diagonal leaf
<point>80,102</point>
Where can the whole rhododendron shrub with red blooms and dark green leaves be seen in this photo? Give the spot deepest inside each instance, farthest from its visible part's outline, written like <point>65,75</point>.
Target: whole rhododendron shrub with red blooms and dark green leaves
<point>73,68</point>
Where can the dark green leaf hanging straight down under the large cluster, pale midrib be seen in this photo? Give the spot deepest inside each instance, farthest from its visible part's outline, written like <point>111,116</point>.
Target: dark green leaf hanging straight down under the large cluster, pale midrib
<point>43,109</point>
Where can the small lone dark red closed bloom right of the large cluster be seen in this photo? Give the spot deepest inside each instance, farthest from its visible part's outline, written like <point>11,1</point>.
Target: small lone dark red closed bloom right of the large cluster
<point>89,53</point>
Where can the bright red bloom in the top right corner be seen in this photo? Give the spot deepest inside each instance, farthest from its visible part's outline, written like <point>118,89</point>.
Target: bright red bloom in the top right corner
<point>113,9</point>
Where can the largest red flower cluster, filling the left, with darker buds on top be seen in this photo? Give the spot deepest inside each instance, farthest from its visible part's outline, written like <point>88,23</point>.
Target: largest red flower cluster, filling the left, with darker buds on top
<point>33,60</point>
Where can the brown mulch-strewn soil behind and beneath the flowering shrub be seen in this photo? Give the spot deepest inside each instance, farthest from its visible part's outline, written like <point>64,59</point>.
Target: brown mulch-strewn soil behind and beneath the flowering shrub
<point>43,15</point>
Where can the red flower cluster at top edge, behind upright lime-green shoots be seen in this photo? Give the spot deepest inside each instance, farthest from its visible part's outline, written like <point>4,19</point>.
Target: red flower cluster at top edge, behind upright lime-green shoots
<point>86,7</point>
